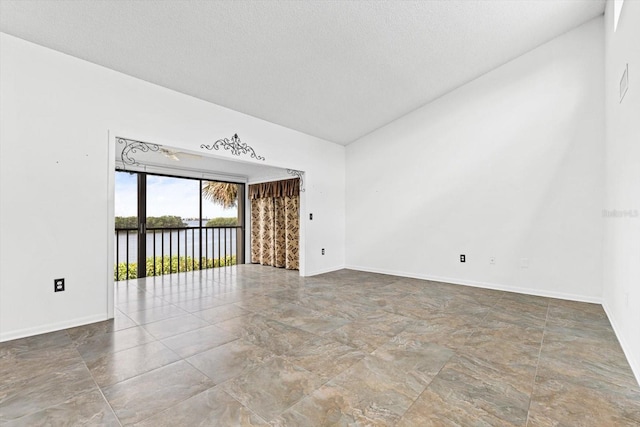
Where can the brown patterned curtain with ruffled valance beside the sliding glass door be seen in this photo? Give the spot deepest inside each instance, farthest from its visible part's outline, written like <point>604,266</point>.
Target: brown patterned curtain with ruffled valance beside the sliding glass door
<point>275,223</point>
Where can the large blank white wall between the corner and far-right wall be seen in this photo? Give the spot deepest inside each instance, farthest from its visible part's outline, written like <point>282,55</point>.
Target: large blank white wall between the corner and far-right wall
<point>507,166</point>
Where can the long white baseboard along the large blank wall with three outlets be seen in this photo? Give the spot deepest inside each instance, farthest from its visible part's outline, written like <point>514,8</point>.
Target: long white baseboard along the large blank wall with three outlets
<point>484,285</point>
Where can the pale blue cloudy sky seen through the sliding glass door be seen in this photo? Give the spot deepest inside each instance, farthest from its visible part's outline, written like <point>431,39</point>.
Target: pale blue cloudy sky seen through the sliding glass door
<point>165,196</point>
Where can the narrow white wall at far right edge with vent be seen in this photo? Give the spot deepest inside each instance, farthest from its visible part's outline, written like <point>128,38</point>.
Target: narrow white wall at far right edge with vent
<point>622,234</point>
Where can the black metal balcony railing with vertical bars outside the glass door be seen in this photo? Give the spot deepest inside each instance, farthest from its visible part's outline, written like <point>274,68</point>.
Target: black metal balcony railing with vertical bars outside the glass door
<point>174,250</point>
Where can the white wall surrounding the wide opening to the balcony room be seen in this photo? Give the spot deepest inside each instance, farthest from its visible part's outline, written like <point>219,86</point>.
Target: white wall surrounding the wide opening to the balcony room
<point>56,112</point>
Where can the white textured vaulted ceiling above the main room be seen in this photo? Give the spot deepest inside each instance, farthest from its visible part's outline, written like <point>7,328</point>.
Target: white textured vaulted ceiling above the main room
<point>333,69</point>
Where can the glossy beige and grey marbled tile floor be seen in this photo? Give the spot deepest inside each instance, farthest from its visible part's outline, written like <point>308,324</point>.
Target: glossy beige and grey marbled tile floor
<point>252,345</point>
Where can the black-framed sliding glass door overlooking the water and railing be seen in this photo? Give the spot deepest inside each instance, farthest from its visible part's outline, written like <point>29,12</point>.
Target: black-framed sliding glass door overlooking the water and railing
<point>168,224</point>
